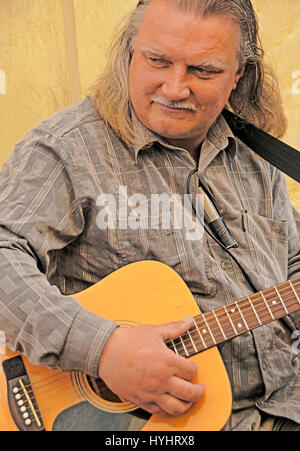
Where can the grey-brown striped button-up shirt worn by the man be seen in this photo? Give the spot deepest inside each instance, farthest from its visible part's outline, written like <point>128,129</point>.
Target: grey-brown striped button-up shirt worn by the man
<point>53,244</point>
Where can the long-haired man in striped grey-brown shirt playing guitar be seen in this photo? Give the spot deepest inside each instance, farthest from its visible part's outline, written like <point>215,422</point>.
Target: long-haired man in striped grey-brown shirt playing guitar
<point>171,72</point>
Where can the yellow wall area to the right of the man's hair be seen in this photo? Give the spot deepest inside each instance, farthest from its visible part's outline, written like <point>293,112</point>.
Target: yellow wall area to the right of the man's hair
<point>280,32</point>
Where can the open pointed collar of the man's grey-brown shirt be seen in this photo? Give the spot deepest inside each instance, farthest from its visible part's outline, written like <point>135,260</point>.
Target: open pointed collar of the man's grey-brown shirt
<point>219,135</point>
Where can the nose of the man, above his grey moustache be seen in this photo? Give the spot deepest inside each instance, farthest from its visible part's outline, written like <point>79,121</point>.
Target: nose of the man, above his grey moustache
<point>175,86</point>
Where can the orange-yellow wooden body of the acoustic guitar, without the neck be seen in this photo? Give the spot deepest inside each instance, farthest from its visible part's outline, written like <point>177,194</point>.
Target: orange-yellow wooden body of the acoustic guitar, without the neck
<point>146,292</point>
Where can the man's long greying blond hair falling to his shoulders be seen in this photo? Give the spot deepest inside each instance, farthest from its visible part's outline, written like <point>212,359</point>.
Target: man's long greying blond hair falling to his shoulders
<point>256,99</point>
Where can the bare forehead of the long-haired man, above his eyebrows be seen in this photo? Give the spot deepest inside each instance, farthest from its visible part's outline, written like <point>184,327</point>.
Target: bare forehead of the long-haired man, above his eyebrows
<point>166,28</point>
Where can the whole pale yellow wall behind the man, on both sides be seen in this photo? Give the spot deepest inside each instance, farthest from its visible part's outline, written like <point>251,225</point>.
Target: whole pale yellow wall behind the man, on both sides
<point>52,50</point>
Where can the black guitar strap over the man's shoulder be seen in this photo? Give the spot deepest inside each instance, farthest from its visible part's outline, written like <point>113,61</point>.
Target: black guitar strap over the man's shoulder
<point>279,154</point>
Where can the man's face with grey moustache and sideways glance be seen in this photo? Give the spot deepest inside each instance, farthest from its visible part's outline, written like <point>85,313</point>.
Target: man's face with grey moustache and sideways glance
<point>182,72</point>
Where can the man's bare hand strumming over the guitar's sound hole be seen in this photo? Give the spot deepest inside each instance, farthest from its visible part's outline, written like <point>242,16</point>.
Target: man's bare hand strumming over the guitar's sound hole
<point>138,366</point>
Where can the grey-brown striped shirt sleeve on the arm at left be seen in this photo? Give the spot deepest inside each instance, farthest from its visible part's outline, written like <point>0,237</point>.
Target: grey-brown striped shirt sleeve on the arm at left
<point>41,214</point>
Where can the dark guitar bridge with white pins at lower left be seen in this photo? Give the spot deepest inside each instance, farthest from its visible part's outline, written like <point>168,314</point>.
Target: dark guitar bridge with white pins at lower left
<point>20,395</point>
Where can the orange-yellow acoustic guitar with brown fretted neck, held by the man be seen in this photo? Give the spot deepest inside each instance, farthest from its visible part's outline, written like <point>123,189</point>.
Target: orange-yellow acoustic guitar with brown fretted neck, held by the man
<point>149,292</point>
